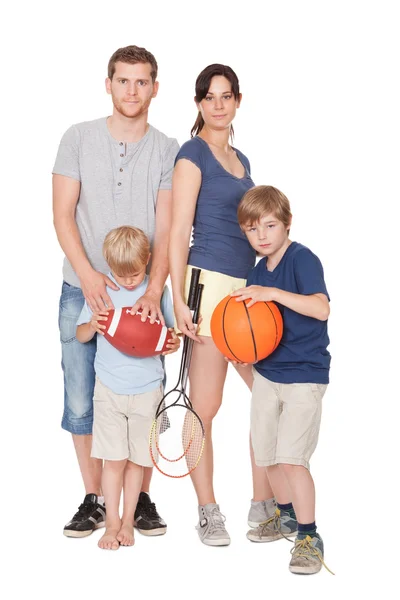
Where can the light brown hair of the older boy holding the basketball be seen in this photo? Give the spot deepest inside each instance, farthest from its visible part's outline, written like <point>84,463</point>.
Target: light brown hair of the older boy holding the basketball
<point>263,200</point>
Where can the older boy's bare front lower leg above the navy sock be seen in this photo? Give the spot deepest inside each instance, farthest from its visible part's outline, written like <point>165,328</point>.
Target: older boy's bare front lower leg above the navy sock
<point>302,491</point>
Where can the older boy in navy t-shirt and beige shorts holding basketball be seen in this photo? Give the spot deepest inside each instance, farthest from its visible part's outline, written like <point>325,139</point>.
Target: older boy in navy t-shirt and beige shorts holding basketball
<point>290,383</point>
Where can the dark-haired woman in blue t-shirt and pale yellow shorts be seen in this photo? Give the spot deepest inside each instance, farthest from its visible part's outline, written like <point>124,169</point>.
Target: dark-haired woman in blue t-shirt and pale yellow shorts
<point>210,178</point>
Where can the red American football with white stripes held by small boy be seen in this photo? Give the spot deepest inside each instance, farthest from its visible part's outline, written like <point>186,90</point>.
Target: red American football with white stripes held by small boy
<point>130,335</point>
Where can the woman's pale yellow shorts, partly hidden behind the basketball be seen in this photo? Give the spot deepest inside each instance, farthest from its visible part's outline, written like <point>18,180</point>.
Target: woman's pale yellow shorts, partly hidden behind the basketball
<point>216,287</point>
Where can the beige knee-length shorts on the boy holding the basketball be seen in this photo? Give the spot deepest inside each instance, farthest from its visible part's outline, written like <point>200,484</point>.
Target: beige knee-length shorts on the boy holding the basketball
<point>285,420</point>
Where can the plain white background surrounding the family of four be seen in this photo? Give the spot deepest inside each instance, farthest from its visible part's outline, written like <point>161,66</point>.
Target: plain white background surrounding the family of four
<point>319,119</point>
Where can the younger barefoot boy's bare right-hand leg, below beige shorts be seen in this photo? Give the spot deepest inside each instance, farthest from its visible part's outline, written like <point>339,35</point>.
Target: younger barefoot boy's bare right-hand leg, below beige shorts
<point>133,479</point>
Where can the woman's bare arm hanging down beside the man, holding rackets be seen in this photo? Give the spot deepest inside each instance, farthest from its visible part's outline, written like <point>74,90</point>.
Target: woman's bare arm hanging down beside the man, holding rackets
<point>186,183</point>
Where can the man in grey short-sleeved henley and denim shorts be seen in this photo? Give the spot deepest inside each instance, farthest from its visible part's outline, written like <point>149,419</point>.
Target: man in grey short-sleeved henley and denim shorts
<point>109,172</point>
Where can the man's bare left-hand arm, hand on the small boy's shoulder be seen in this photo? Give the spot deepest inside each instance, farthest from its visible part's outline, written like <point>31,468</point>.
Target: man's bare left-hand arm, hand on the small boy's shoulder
<point>65,199</point>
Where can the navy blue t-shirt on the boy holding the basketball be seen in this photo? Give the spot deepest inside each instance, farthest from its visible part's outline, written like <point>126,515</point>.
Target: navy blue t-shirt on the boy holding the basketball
<point>302,355</point>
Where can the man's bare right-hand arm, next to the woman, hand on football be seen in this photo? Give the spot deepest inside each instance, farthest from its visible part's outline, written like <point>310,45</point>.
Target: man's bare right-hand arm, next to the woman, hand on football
<point>149,303</point>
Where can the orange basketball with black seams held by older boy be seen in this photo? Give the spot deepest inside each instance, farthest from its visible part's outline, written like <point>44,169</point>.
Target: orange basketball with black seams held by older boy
<point>246,334</point>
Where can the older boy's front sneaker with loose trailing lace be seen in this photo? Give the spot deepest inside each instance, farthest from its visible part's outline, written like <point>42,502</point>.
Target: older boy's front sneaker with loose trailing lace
<point>307,555</point>
